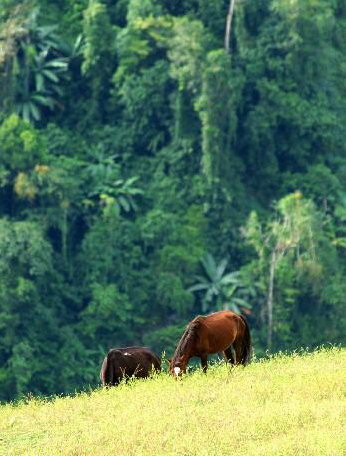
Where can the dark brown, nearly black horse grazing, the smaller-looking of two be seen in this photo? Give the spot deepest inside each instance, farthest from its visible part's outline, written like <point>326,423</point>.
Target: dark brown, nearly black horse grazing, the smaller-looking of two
<point>128,362</point>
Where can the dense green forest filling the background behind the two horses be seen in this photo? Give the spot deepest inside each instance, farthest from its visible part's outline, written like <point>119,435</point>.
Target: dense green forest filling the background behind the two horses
<point>147,175</point>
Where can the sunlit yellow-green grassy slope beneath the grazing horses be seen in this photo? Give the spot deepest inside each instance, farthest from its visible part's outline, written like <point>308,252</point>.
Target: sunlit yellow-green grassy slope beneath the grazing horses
<point>288,405</point>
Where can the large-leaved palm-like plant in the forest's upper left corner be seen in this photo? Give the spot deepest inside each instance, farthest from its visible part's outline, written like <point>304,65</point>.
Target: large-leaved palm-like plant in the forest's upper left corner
<point>36,63</point>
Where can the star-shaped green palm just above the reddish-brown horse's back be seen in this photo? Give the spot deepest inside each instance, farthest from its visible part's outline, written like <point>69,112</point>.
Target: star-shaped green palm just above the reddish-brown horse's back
<point>221,289</point>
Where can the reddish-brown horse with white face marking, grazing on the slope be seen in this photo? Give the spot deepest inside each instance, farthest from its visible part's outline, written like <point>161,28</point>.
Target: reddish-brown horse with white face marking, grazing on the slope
<point>208,334</point>
